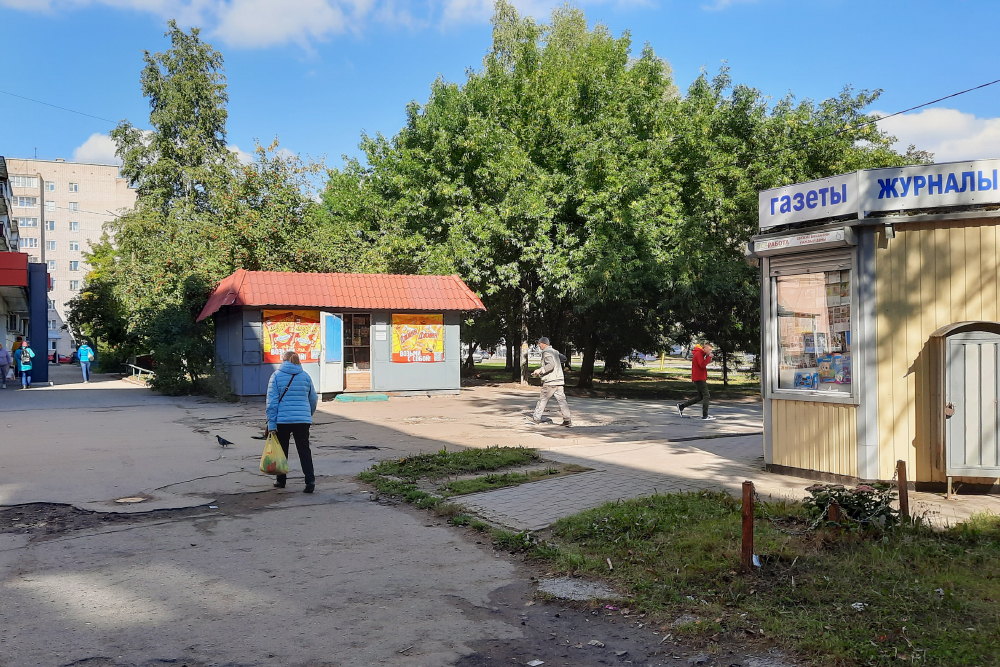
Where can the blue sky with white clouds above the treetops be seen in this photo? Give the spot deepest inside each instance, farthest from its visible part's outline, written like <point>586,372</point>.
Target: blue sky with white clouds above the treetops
<point>315,73</point>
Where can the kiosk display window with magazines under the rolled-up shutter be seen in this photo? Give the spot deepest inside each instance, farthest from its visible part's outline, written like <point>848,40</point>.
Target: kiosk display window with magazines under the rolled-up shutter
<point>814,331</point>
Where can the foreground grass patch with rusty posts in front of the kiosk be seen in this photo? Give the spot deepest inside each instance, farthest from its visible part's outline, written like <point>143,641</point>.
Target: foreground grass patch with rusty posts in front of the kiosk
<point>845,598</point>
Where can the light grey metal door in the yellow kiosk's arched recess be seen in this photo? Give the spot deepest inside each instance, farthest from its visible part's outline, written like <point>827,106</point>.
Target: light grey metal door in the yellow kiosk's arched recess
<point>973,423</point>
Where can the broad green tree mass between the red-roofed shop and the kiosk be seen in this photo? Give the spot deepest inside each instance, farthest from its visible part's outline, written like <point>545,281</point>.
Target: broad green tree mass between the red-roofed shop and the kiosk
<point>571,185</point>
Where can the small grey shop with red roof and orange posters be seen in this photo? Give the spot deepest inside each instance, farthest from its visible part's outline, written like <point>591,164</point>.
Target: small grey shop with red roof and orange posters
<point>355,333</point>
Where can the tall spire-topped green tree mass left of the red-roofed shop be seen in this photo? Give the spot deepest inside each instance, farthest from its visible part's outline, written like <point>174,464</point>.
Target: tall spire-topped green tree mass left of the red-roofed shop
<point>199,216</point>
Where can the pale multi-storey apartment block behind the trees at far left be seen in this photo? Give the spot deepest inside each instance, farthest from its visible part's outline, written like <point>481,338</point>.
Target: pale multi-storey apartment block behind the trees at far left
<point>59,208</point>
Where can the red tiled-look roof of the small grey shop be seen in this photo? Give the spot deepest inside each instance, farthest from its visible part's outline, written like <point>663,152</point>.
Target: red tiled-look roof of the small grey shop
<point>350,291</point>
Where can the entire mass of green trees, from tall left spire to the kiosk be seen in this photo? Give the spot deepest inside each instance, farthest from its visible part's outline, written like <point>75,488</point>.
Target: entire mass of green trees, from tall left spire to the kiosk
<point>567,181</point>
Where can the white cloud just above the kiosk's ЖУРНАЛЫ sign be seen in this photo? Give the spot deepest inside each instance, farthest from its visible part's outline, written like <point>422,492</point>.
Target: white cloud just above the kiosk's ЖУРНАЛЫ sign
<point>950,134</point>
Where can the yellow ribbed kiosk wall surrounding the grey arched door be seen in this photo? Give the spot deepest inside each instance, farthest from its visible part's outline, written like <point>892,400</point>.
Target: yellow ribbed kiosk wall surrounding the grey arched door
<point>929,276</point>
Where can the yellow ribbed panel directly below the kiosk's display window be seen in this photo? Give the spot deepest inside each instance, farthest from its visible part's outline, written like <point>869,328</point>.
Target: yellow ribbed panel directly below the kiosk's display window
<point>815,436</point>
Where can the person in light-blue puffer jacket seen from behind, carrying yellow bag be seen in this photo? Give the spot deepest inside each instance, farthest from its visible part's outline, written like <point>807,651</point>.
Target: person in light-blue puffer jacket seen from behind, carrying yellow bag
<point>291,402</point>
